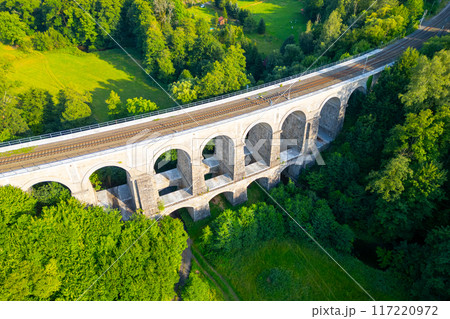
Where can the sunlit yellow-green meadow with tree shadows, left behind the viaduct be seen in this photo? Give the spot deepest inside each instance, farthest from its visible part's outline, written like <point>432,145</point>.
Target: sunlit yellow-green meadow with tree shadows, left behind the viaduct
<point>97,72</point>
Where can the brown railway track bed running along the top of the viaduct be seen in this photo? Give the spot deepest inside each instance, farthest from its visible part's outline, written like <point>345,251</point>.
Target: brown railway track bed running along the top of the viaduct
<point>101,141</point>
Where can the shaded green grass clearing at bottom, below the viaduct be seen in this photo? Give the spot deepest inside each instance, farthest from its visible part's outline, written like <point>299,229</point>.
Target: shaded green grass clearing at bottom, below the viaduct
<point>288,270</point>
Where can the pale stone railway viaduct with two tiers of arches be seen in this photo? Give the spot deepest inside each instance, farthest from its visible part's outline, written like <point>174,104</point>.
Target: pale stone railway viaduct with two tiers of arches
<point>258,145</point>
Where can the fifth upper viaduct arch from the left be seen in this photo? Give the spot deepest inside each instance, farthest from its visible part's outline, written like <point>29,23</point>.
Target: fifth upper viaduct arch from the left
<point>257,141</point>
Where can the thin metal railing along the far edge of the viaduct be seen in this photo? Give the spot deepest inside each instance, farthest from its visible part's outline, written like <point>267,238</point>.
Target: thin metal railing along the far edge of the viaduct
<point>185,106</point>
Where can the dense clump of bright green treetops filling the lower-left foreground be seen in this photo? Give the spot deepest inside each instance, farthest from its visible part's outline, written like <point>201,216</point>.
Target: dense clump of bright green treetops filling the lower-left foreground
<point>77,244</point>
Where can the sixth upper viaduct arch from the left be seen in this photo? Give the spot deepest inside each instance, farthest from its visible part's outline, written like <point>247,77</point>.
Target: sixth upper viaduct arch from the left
<point>293,128</point>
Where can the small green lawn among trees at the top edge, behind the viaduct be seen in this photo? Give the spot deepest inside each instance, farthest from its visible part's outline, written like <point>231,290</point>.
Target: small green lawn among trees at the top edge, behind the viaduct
<point>278,15</point>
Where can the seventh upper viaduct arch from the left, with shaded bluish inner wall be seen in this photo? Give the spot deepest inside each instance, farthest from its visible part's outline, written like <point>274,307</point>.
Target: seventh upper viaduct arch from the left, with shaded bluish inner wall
<point>330,118</point>
